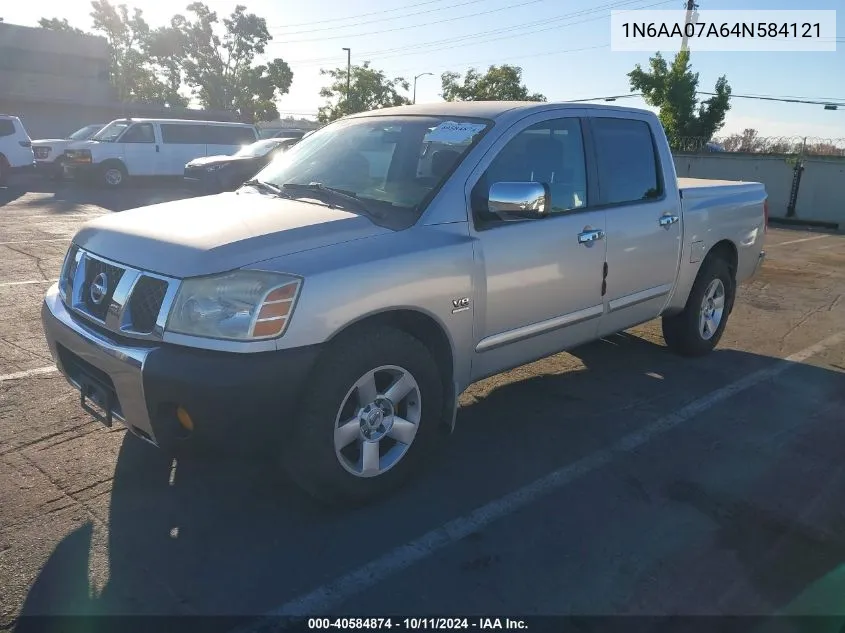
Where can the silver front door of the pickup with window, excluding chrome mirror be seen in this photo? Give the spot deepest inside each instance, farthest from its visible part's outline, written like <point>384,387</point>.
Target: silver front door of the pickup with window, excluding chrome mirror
<point>543,277</point>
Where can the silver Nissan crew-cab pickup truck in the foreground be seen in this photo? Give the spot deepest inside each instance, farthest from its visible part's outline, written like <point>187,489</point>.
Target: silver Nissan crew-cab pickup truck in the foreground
<point>334,308</point>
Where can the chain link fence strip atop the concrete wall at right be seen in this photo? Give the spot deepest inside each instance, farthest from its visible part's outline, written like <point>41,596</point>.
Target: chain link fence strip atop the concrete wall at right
<point>751,143</point>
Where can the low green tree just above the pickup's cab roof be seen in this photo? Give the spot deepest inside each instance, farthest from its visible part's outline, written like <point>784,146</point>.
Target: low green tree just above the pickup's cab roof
<point>499,83</point>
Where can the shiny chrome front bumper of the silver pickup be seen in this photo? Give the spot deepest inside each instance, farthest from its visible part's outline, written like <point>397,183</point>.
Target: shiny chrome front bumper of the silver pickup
<point>122,364</point>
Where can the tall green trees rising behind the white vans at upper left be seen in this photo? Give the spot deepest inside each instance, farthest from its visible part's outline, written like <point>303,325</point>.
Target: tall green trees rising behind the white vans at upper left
<point>214,58</point>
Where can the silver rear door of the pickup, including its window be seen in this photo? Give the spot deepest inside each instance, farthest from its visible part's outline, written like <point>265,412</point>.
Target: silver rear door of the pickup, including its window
<point>643,221</point>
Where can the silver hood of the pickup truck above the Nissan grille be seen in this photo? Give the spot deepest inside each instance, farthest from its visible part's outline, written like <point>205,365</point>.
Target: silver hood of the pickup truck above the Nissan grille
<point>213,234</point>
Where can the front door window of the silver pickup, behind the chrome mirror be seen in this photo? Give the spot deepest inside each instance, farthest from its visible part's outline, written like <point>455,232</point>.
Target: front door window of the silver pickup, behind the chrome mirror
<point>550,152</point>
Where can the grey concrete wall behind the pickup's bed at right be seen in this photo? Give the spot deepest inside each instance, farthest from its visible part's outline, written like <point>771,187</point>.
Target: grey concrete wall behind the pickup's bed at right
<point>821,195</point>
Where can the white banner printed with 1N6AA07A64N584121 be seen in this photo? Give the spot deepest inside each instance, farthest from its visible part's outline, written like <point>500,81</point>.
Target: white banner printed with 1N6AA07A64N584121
<point>728,30</point>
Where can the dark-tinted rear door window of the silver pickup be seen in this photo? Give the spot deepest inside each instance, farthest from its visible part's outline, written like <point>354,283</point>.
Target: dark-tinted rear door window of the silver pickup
<point>627,161</point>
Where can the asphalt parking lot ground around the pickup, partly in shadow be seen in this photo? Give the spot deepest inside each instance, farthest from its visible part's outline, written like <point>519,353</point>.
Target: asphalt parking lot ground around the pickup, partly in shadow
<point>618,479</point>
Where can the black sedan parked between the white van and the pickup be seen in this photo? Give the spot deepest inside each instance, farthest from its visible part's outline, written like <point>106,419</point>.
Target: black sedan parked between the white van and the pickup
<point>215,174</point>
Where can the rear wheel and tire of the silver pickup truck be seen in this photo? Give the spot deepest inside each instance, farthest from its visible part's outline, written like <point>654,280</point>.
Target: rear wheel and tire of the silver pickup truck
<point>698,329</point>
